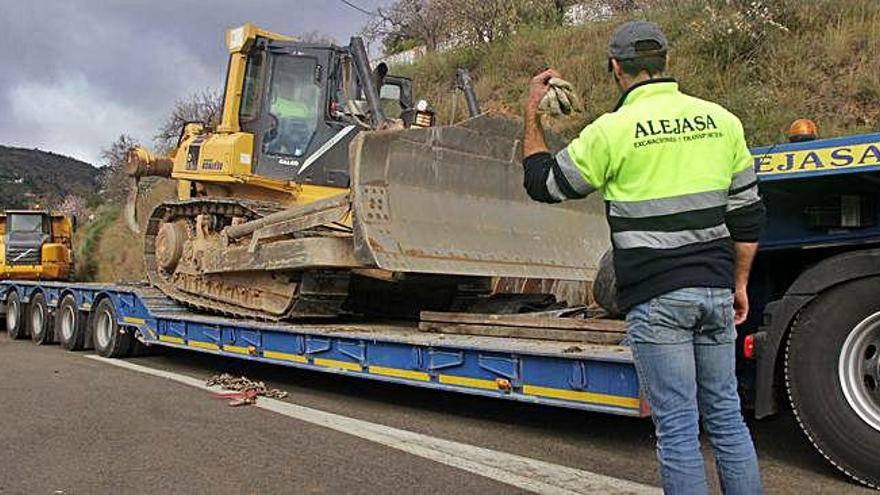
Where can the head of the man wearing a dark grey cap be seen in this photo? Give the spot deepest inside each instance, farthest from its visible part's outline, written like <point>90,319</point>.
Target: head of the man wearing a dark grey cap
<point>636,52</point>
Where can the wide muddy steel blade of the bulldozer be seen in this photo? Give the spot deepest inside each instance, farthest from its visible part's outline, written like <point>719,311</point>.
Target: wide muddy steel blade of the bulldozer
<point>450,200</point>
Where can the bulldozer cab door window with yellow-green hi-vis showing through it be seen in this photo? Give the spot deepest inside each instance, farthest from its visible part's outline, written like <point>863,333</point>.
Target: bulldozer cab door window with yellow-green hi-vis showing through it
<point>294,103</point>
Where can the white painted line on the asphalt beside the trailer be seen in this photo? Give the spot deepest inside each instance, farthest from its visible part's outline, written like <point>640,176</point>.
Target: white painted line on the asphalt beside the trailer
<point>522,472</point>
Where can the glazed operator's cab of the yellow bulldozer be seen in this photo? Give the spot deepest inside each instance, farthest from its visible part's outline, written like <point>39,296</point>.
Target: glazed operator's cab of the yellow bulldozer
<point>303,103</point>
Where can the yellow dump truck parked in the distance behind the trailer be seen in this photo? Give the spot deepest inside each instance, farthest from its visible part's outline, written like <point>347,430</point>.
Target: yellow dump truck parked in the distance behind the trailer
<point>35,245</point>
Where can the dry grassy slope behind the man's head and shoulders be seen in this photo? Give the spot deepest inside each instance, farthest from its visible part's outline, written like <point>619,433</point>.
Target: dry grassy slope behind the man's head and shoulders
<point>769,62</point>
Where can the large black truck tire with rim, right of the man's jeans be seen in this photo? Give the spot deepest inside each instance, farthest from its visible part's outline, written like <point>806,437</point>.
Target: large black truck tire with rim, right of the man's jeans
<point>832,372</point>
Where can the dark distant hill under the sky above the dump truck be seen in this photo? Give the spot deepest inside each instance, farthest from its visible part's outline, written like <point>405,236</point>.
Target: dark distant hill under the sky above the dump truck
<point>29,177</point>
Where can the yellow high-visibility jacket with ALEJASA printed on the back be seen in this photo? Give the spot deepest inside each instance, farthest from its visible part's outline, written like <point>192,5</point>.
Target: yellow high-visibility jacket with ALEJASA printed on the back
<point>678,182</point>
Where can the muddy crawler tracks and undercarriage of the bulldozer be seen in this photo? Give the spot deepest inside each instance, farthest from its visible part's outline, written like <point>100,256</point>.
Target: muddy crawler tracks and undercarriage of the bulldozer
<point>251,259</point>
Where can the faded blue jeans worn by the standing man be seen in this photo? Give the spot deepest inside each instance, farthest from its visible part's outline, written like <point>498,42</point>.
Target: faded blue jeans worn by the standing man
<point>683,343</point>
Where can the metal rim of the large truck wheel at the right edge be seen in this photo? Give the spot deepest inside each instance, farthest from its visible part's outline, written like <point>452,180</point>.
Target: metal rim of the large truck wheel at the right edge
<point>859,370</point>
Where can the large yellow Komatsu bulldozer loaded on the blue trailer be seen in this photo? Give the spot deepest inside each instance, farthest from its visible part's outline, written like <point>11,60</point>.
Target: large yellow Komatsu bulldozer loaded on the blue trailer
<point>326,190</point>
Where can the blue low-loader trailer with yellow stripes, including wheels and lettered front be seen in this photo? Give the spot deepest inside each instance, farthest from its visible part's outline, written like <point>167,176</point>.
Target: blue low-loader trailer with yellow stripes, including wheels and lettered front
<point>812,342</point>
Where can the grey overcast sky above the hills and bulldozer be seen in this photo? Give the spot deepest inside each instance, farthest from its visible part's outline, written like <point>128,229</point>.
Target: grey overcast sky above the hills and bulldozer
<point>77,73</point>
